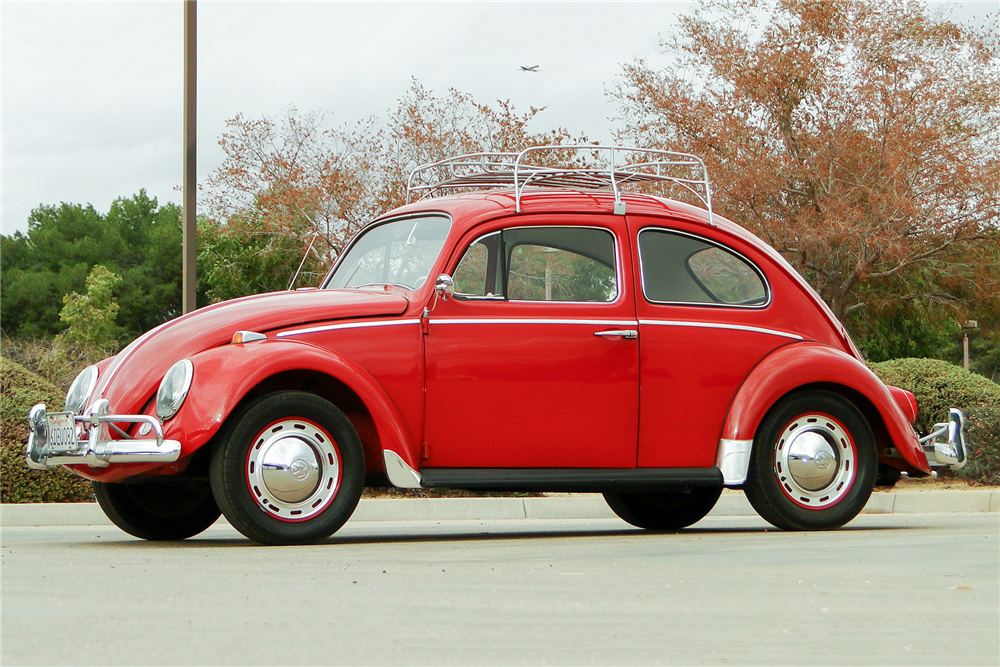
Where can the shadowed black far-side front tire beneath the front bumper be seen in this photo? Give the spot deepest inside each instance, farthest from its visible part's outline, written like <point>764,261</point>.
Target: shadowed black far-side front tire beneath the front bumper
<point>159,510</point>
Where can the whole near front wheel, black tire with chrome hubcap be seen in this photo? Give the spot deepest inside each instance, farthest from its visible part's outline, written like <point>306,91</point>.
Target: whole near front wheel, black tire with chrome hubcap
<point>288,468</point>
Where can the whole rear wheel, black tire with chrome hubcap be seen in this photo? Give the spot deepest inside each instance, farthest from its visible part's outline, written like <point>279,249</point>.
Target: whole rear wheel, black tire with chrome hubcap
<point>813,464</point>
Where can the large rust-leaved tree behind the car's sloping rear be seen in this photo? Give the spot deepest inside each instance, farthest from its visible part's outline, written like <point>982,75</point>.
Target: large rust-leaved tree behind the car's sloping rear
<point>858,138</point>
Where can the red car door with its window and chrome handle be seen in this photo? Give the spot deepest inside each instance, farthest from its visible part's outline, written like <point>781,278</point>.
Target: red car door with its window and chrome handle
<point>535,362</point>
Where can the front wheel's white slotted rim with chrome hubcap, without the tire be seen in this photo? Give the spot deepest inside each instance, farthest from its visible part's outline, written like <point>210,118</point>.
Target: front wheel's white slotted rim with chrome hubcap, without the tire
<point>293,469</point>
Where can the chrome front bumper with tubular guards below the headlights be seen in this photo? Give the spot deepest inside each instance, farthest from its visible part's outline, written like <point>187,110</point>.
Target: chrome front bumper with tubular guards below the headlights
<point>96,448</point>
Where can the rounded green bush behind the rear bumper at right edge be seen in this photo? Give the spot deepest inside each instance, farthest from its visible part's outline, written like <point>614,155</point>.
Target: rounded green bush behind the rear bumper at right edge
<point>938,386</point>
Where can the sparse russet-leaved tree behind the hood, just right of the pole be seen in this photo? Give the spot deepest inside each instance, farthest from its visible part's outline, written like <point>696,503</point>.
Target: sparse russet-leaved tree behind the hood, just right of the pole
<point>288,182</point>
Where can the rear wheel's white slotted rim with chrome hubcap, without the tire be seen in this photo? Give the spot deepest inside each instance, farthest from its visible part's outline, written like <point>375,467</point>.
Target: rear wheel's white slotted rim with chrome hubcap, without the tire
<point>815,461</point>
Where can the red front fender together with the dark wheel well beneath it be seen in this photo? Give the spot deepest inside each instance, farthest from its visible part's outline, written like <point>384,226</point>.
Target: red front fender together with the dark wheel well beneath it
<point>228,377</point>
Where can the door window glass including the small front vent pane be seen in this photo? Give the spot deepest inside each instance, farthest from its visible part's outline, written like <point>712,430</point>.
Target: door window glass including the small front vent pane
<point>540,264</point>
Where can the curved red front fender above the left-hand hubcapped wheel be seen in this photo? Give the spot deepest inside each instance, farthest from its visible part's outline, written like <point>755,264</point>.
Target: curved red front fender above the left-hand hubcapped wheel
<point>223,377</point>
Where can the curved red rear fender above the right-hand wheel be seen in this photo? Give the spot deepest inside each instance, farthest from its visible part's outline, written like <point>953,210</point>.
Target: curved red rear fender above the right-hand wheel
<point>800,364</point>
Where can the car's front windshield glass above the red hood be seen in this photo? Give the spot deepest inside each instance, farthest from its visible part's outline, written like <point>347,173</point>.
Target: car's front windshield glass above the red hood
<point>400,253</point>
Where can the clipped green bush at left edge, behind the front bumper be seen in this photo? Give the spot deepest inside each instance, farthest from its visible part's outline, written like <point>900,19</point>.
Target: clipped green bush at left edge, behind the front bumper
<point>20,390</point>
